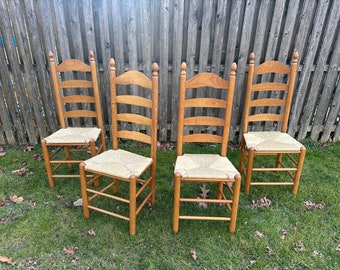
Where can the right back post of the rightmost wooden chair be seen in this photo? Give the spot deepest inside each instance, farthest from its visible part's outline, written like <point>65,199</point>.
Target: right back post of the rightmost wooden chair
<point>291,84</point>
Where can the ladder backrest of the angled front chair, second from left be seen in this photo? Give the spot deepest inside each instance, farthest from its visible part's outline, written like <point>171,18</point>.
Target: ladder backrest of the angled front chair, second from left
<point>134,106</point>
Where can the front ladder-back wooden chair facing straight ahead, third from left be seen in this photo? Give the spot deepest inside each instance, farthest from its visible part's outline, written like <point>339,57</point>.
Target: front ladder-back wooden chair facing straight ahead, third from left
<point>212,114</point>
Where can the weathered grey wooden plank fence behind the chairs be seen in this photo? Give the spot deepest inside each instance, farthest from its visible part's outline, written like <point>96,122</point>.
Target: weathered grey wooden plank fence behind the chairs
<point>207,34</point>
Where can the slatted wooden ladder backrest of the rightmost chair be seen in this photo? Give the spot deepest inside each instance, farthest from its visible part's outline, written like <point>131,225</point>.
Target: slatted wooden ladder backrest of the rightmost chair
<point>269,94</point>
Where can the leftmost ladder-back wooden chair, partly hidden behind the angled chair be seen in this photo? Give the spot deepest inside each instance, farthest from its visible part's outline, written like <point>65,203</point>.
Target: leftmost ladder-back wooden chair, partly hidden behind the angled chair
<point>80,117</point>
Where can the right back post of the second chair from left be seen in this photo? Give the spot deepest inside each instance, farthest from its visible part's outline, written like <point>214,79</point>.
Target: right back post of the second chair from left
<point>154,119</point>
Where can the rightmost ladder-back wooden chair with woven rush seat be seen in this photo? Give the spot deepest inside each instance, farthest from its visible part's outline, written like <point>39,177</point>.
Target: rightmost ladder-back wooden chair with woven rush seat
<point>266,111</point>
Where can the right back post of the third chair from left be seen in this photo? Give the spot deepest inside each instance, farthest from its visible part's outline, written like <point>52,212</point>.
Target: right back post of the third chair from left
<point>228,109</point>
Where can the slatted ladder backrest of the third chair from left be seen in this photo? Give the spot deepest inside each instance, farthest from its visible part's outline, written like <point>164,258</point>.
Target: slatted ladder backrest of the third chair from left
<point>206,109</point>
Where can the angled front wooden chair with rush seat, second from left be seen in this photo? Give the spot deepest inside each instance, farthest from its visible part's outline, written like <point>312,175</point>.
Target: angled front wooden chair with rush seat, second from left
<point>134,117</point>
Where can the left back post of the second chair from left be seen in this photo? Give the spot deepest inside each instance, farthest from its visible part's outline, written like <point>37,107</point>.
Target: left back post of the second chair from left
<point>114,109</point>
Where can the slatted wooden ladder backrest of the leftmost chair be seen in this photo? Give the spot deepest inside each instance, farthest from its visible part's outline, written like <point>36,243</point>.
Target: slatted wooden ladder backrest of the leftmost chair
<point>76,91</point>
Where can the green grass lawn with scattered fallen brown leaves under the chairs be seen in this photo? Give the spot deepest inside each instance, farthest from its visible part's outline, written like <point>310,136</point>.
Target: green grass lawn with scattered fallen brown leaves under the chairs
<point>35,232</point>
